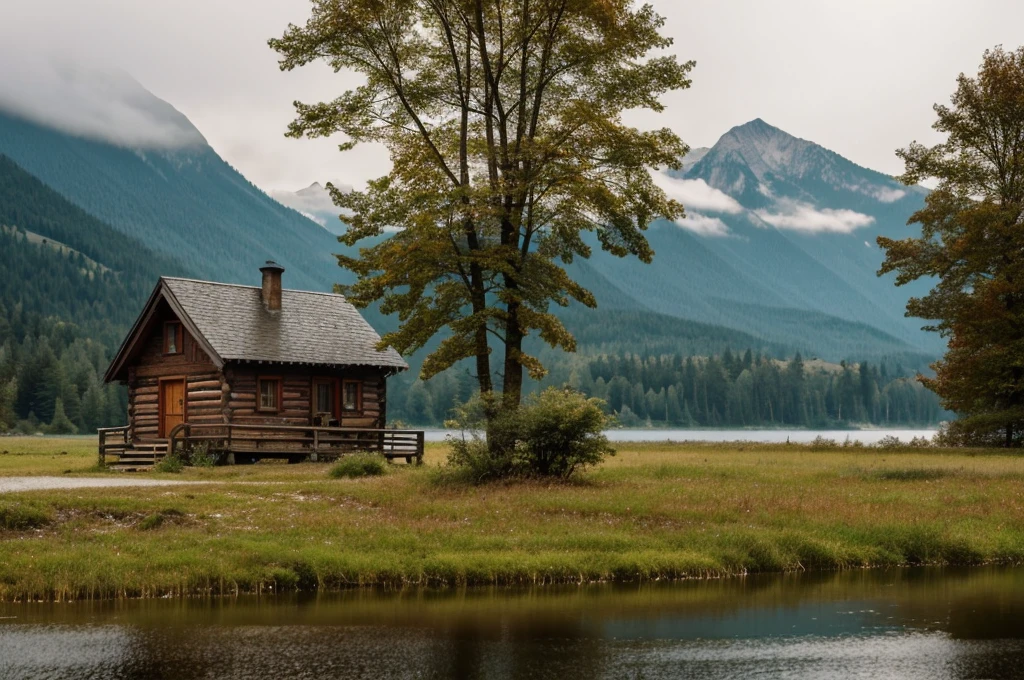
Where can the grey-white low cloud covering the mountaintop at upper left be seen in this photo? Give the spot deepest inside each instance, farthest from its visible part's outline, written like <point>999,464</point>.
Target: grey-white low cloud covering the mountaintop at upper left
<point>107,106</point>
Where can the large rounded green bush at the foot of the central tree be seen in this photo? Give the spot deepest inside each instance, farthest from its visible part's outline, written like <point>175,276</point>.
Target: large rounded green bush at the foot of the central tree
<point>552,435</point>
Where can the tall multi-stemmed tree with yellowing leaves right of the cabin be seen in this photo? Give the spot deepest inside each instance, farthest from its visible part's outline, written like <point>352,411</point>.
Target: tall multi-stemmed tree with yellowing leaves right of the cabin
<point>503,120</point>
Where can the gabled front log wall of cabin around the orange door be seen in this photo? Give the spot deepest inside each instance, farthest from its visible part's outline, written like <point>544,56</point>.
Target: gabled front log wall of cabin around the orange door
<point>204,399</point>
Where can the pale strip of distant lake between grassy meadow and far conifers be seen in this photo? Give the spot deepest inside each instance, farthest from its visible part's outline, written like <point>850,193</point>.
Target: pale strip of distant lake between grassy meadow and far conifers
<point>767,437</point>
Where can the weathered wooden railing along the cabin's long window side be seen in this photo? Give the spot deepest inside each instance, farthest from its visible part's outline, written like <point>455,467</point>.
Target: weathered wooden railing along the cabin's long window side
<point>294,443</point>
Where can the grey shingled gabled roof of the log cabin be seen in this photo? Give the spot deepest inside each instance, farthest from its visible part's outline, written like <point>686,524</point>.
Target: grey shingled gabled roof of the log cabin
<point>232,325</point>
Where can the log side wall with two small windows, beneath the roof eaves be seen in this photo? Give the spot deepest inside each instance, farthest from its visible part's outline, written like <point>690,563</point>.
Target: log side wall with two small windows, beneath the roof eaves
<point>297,395</point>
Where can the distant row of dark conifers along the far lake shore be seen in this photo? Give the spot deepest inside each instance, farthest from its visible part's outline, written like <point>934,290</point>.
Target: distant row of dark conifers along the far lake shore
<point>728,391</point>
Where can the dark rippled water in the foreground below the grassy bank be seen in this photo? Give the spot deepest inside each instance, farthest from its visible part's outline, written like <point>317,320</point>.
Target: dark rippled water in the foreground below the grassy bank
<point>923,623</point>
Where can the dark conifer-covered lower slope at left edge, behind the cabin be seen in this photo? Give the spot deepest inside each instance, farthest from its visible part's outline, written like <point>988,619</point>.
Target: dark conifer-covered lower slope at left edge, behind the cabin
<point>70,287</point>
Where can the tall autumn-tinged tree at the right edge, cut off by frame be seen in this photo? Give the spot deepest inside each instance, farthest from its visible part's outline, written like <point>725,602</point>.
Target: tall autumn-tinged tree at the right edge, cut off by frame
<point>972,244</point>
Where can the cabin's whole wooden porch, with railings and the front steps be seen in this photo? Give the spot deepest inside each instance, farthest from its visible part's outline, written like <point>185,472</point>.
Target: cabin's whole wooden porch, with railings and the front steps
<point>245,444</point>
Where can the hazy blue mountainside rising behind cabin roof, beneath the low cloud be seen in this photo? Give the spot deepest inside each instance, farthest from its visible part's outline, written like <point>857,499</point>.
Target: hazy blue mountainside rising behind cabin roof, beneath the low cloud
<point>185,202</point>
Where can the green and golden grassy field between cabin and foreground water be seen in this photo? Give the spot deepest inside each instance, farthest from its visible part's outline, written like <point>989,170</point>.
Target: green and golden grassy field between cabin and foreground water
<point>655,512</point>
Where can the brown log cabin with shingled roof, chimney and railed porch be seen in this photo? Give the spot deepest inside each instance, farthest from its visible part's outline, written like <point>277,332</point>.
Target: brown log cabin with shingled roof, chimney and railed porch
<point>254,372</point>
